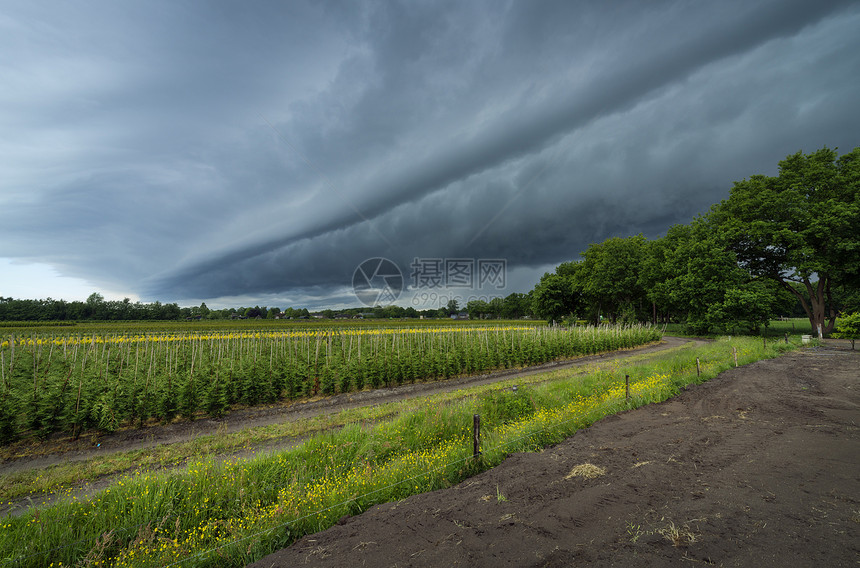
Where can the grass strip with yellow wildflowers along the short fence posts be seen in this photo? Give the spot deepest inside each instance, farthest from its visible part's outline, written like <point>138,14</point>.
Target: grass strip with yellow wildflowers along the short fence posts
<point>217,513</point>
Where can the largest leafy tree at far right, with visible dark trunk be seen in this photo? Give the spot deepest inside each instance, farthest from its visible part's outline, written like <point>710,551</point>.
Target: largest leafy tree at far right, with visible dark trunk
<point>800,226</point>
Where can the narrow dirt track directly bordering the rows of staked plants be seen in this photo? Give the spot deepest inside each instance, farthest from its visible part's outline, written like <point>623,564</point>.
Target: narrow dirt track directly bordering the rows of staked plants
<point>88,447</point>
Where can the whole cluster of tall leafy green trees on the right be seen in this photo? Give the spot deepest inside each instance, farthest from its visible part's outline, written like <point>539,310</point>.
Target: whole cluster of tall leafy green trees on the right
<point>777,244</point>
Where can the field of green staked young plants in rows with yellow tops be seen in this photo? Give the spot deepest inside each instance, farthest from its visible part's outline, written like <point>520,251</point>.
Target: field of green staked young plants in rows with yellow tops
<point>71,383</point>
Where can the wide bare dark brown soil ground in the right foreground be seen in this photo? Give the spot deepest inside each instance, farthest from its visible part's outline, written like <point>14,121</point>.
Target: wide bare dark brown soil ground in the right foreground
<point>757,467</point>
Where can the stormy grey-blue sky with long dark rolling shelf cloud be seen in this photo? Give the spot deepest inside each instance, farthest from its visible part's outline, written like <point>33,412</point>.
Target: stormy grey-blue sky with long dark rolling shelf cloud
<point>258,153</point>
